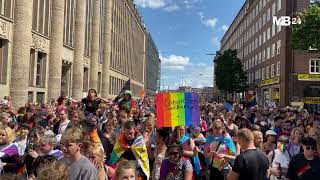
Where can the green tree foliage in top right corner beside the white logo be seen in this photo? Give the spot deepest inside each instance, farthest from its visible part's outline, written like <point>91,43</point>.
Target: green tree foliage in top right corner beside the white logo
<point>307,34</point>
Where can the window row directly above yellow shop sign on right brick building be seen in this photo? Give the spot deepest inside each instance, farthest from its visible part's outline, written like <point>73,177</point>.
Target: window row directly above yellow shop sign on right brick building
<point>264,73</point>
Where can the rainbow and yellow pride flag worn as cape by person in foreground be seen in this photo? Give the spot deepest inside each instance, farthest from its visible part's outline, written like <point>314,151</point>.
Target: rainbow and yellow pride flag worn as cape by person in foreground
<point>138,148</point>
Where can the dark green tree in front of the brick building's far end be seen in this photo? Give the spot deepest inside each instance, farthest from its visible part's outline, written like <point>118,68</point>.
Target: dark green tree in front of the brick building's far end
<point>229,74</point>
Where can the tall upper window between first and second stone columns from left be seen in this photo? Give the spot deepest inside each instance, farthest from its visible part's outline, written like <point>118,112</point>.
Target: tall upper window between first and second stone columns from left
<point>41,16</point>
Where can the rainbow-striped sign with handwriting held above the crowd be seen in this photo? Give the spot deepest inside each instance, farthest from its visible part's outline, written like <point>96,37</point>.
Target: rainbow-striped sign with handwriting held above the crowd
<point>177,109</point>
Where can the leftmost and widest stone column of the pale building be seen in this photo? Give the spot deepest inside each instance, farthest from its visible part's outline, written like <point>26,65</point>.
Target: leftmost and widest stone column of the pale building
<point>22,40</point>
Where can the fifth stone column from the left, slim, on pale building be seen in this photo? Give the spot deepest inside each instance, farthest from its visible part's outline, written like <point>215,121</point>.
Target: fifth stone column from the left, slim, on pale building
<point>107,49</point>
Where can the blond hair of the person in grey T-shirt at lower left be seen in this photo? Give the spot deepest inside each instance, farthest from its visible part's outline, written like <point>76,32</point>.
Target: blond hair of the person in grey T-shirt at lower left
<point>72,135</point>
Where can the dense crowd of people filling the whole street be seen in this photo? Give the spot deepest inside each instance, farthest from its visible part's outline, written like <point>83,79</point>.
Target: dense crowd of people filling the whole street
<point>98,139</point>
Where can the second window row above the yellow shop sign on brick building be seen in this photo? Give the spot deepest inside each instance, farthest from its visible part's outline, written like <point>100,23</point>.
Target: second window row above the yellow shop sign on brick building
<point>262,56</point>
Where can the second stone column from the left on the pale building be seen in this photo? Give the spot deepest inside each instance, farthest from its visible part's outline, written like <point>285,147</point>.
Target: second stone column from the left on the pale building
<point>56,49</point>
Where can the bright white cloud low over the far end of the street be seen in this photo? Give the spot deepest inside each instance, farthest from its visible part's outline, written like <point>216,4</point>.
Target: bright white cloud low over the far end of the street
<point>174,62</point>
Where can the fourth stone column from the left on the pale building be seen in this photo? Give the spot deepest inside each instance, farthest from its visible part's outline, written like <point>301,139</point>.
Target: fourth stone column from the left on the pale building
<point>93,84</point>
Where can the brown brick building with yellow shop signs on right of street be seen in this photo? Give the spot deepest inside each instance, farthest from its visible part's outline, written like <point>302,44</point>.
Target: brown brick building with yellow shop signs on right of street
<point>276,72</point>
